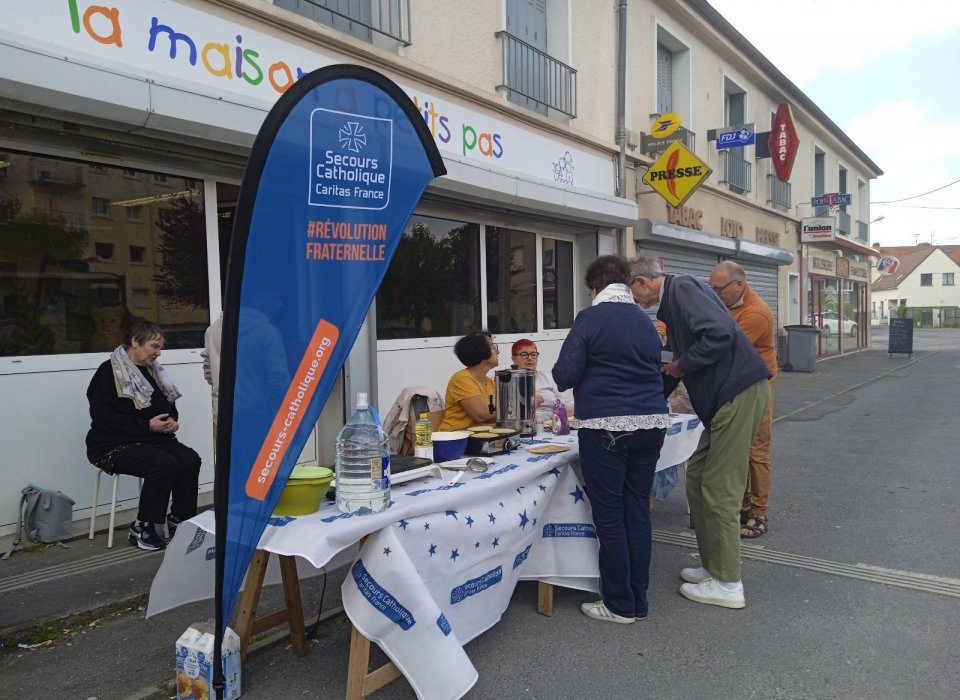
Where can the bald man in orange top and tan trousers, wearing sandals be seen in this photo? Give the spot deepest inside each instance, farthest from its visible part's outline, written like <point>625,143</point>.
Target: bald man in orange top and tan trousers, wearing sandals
<point>755,319</point>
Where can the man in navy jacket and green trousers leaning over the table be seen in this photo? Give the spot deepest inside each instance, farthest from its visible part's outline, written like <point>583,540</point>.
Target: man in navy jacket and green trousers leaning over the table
<point>727,383</point>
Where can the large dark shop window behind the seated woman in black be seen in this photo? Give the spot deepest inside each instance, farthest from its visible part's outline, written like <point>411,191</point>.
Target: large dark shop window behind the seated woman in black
<point>85,248</point>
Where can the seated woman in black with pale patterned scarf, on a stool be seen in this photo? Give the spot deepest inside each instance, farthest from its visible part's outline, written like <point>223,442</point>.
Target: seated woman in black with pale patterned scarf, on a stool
<point>133,421</point>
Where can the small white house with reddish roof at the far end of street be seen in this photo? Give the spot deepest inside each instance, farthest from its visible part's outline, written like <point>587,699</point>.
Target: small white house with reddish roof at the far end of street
<point>926,283</point>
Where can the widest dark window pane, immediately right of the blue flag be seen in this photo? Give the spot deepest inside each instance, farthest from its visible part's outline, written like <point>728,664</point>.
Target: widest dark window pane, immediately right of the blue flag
<point>432,287</point>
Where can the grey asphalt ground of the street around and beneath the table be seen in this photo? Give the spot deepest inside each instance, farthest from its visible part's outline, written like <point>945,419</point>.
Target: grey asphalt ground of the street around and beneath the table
<point>854,593</point>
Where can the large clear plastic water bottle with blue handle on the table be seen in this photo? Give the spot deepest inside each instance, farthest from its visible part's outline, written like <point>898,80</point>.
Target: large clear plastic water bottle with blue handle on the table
<point>363,463</point>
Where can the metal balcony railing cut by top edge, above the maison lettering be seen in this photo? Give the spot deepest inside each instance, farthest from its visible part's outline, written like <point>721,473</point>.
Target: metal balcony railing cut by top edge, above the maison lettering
<point>390,18</point>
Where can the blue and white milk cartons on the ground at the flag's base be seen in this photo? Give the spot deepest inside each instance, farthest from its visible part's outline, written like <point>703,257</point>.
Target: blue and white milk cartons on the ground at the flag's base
<point>194,654</point>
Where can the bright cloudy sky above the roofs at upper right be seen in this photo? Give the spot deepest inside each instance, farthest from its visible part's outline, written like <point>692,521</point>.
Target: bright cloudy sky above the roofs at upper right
<point>888,73</point>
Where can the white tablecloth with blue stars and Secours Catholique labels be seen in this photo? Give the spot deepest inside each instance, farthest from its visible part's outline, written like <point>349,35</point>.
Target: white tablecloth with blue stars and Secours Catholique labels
<point>440,564</point>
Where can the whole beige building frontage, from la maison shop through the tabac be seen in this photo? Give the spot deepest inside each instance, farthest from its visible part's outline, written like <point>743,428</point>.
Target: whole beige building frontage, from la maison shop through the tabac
<point>125,127</point>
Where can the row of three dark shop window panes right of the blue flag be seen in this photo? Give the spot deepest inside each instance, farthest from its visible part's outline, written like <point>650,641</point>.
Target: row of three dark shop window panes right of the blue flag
<point>436,282</point>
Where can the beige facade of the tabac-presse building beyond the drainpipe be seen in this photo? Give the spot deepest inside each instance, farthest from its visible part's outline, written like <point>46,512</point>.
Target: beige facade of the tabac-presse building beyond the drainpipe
<point>691,62</point>
